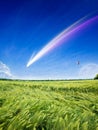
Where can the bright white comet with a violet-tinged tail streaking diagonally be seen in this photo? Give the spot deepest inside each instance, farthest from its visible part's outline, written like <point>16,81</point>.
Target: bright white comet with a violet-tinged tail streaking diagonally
<point>62,37</point>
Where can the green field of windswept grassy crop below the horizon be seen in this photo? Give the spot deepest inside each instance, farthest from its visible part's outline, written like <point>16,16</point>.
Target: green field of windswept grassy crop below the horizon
<point>49,105</point>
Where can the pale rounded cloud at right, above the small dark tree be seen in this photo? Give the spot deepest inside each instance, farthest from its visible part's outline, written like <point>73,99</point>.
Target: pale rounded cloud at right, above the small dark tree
<point>88,71</point>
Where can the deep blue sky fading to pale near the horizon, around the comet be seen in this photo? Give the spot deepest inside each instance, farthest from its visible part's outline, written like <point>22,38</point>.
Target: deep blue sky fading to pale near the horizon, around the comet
<point>26,26</point>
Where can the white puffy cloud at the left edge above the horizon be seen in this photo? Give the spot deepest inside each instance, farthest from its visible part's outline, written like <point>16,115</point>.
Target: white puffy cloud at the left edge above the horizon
<point>5,71</point>
